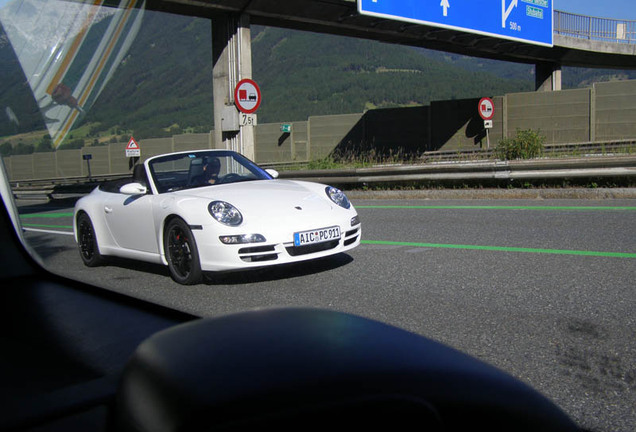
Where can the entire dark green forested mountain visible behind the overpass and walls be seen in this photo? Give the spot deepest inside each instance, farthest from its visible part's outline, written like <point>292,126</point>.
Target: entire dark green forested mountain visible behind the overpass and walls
<point>164,84</point>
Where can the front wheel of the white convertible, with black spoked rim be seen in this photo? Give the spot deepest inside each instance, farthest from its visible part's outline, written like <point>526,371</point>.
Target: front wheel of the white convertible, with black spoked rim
<point>182,253</point>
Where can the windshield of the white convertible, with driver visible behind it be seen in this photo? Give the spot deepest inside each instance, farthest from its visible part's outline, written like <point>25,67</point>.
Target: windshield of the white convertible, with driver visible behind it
<point>204,168</point>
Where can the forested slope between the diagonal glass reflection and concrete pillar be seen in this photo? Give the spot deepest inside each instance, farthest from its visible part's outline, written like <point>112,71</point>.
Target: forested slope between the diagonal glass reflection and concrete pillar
<point>165,80</point>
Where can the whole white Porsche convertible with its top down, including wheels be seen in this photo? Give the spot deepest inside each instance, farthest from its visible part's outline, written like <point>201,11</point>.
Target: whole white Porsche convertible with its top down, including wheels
<point>212,210</point>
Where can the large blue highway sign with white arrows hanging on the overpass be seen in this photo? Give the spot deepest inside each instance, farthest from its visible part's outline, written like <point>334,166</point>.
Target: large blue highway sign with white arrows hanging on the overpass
<point>523,20</point>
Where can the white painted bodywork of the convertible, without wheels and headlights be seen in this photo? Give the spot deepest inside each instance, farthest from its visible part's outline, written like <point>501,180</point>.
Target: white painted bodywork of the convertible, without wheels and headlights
<point>130,220</point>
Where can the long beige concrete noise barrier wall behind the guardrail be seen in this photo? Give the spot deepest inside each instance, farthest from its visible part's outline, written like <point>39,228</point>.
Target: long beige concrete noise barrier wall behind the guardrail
<point>604,112</point>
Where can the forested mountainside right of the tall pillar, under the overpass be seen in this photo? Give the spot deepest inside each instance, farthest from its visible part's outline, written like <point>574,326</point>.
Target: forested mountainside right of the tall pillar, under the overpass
<point>306,74</point>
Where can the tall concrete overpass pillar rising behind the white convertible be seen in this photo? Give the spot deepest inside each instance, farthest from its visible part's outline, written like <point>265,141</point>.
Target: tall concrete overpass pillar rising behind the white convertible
<point>232,61</point>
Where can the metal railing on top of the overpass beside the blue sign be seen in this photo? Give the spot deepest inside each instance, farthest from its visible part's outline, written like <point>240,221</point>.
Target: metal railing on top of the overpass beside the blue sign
<point>593,28</point>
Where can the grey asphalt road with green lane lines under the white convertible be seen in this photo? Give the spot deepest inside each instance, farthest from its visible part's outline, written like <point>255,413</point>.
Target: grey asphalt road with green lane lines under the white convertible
<point>544,290</point>
